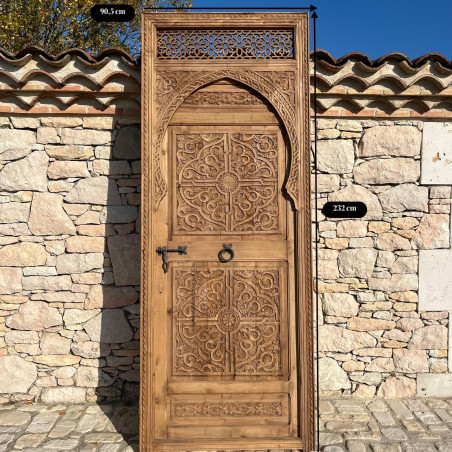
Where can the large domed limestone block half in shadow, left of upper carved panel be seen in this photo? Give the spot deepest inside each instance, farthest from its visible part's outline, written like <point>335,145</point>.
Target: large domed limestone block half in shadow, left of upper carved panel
<point>95,190</point>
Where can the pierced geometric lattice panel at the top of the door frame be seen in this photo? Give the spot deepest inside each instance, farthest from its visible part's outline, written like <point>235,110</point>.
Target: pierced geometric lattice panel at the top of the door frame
<point>225,44</point>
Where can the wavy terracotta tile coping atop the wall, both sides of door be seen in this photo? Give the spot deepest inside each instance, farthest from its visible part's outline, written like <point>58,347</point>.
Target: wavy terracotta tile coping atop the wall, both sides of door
<point>33,81</point>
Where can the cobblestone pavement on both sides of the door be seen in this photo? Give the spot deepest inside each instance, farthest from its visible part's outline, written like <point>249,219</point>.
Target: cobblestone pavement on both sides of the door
<point>346,425</point>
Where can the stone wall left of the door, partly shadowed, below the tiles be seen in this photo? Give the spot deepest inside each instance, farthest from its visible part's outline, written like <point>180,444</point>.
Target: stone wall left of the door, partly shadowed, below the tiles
<point>69,246</point>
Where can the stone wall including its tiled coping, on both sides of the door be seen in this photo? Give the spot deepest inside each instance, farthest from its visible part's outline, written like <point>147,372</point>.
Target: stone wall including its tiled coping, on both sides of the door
<point>70,228</point>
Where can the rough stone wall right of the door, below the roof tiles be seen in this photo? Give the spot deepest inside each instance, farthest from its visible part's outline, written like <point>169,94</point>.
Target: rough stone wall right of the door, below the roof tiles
<point>375,338</point>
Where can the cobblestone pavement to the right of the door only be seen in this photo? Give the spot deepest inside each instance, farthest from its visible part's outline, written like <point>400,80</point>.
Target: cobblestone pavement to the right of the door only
<point>377,425</point>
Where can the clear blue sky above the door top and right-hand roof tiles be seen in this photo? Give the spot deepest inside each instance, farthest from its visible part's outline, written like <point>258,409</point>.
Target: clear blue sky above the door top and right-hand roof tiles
<point>373,27</point>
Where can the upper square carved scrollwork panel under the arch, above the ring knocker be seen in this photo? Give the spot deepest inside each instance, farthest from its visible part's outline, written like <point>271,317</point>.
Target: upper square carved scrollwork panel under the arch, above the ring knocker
<point>227,182</point>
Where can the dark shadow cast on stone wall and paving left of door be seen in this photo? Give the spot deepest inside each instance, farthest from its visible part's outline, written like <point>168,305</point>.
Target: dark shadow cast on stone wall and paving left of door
<point>116,328</point>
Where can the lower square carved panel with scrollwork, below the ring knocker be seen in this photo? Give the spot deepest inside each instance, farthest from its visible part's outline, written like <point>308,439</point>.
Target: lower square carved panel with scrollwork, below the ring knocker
<point>228,322</point>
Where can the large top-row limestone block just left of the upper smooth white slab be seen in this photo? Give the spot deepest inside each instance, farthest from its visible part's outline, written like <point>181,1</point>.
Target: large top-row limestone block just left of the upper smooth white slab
<point>401,141</point>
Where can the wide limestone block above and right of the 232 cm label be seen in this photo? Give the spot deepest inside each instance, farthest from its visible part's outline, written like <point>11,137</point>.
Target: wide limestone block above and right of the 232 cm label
<point>387,171</point>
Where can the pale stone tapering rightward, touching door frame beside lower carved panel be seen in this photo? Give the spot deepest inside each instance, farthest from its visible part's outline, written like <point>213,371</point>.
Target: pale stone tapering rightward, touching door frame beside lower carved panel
<point>336,339</point>
